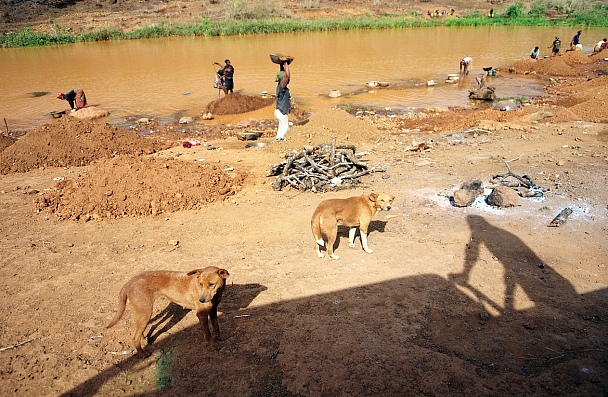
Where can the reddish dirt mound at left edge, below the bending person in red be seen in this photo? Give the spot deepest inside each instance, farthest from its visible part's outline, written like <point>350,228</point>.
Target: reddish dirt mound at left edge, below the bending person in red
<point>68,142</point>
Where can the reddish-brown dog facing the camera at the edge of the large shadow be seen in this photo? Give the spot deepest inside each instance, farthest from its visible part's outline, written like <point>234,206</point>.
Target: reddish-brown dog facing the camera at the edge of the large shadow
<point>200,290</point>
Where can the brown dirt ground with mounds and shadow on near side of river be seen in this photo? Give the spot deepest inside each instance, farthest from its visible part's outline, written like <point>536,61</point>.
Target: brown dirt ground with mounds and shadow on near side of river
<point>454,301</point>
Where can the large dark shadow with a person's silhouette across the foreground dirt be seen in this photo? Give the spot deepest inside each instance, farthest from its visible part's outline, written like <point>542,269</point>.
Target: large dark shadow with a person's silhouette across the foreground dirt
<point>417,335</point>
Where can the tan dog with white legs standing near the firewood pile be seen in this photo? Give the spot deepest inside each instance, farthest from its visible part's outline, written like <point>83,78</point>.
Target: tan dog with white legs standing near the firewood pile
<point>351,212</point>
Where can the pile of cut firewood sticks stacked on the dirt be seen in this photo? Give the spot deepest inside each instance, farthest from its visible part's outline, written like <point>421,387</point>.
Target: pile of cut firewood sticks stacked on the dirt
<point>321,168</point>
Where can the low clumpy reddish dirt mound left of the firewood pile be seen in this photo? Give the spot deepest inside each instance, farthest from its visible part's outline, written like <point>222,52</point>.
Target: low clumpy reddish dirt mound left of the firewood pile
<point>132,186</point>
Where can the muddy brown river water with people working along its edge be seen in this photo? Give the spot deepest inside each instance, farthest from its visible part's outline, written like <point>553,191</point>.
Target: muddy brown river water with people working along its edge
<point>173,77</point>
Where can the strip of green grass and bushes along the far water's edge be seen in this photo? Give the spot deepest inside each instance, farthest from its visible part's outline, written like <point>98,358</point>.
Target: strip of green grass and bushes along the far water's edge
<point>266,19</point>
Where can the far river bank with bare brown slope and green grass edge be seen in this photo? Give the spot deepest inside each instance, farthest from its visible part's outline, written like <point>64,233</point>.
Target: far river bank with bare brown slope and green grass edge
<point>30,23</point>
